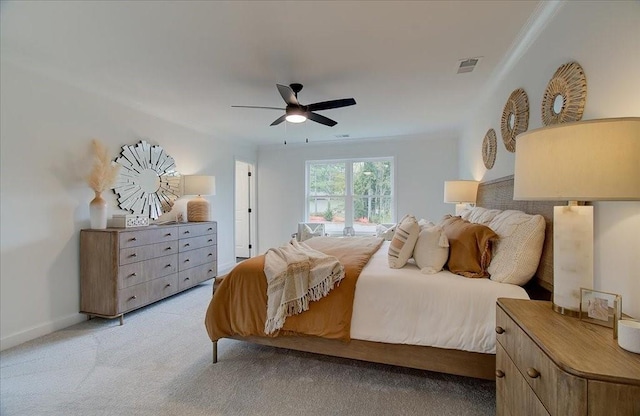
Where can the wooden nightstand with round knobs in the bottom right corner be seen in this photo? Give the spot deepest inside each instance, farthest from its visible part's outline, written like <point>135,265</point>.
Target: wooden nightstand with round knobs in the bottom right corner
<point>551,364</point>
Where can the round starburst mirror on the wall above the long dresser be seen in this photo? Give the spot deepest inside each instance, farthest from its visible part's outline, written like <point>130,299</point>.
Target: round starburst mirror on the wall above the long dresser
<point>148,182</point>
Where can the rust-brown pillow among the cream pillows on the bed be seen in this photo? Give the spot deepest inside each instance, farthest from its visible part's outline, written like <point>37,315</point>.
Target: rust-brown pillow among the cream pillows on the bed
<point>469,246</point>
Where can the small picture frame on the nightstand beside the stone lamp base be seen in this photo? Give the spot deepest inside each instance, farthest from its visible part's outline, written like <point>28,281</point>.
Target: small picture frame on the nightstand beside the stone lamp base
<point>601,308</point>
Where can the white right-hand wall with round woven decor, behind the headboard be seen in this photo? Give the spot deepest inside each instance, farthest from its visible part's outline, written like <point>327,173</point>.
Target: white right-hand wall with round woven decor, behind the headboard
<point>604,38</point>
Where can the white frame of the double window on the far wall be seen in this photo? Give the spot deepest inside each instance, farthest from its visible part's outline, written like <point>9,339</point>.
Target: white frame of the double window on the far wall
<point>348,221</point>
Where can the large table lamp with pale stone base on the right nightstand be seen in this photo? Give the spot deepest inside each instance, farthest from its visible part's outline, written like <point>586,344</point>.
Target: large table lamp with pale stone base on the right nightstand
<point>592,160</point>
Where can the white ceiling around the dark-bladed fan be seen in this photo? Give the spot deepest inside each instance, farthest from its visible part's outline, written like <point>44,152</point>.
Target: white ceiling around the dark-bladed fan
<point>189,61</point>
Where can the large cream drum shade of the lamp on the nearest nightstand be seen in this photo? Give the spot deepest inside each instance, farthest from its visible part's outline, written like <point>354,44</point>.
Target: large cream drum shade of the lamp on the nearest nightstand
<point>594,160</point>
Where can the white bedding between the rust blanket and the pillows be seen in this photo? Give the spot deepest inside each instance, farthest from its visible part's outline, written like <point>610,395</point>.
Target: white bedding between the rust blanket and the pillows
<point>404,306</point>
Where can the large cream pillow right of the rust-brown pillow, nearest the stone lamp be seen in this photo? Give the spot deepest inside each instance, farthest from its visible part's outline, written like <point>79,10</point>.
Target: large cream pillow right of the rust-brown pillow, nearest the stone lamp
<point>517,252</point>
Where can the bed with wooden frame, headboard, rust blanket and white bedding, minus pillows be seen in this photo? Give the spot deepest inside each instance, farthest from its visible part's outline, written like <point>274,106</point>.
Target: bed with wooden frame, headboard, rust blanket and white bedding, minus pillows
<point>371,330</point>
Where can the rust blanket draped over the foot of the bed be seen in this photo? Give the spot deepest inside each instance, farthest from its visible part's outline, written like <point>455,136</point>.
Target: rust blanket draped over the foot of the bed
<point>239,305</point>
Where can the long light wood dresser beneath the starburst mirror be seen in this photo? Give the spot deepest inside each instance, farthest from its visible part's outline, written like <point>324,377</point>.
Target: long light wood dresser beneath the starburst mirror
<point>122,269</point>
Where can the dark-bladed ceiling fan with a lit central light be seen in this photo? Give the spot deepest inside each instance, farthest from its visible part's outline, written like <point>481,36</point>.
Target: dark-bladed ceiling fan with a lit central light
<point>298,113</point>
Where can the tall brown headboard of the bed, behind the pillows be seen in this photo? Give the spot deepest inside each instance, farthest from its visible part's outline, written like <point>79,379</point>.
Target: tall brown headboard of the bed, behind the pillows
<point>498,194</point>
